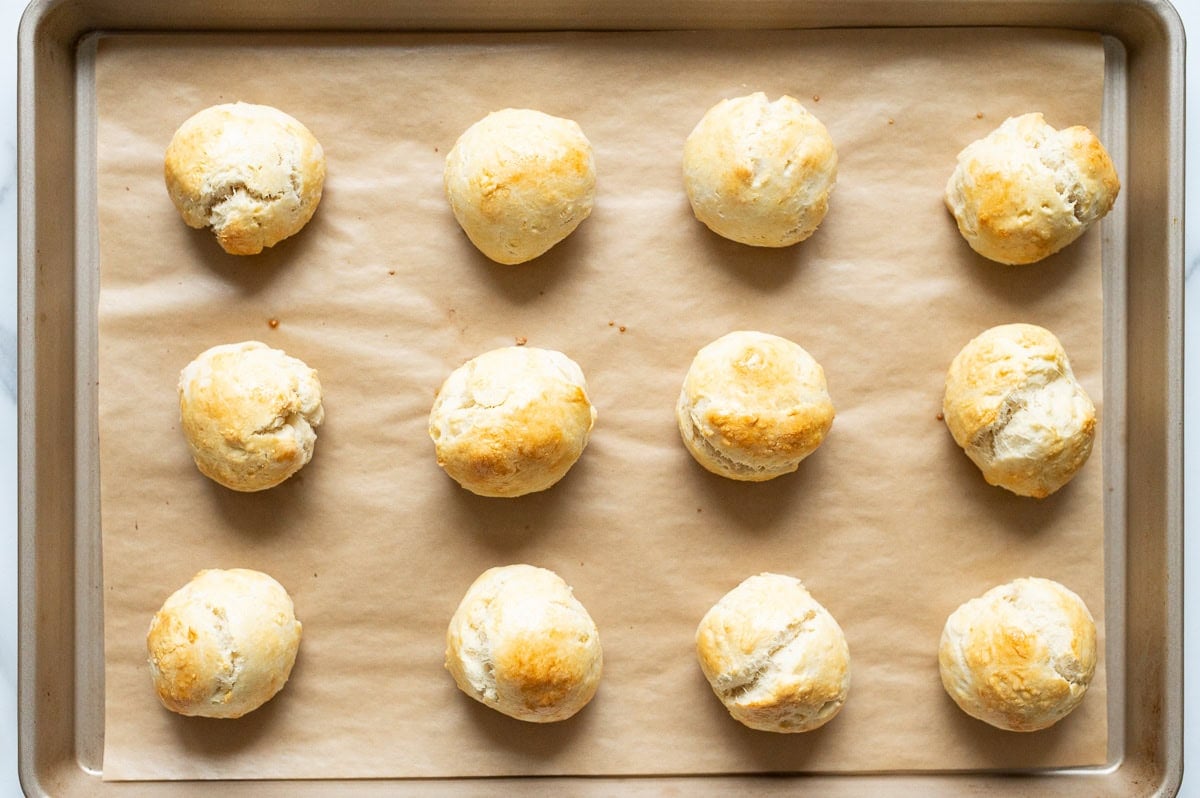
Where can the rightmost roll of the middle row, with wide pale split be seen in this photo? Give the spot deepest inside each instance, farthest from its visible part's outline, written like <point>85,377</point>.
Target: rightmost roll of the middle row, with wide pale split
<point>1012,403</point>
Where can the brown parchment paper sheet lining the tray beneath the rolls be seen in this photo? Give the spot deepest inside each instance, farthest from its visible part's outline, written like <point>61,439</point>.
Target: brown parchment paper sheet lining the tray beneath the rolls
<point>889,524</point>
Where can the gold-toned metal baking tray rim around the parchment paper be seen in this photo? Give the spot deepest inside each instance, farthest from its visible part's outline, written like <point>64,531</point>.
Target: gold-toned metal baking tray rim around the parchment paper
<point>61,623</point>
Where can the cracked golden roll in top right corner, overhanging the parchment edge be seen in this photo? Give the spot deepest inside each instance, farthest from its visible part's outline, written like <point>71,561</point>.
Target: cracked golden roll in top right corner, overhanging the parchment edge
<point>1025,191</point>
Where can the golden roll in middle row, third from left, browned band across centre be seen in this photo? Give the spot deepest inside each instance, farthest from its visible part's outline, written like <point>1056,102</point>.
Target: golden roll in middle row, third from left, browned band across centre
<point>753,406</point>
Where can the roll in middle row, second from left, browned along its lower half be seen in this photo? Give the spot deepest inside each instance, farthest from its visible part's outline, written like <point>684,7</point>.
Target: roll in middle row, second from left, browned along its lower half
<point>512,422</point>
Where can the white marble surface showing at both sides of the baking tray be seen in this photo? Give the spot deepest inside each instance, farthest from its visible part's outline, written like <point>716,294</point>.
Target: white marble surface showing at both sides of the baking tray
<point>10,15</point>
